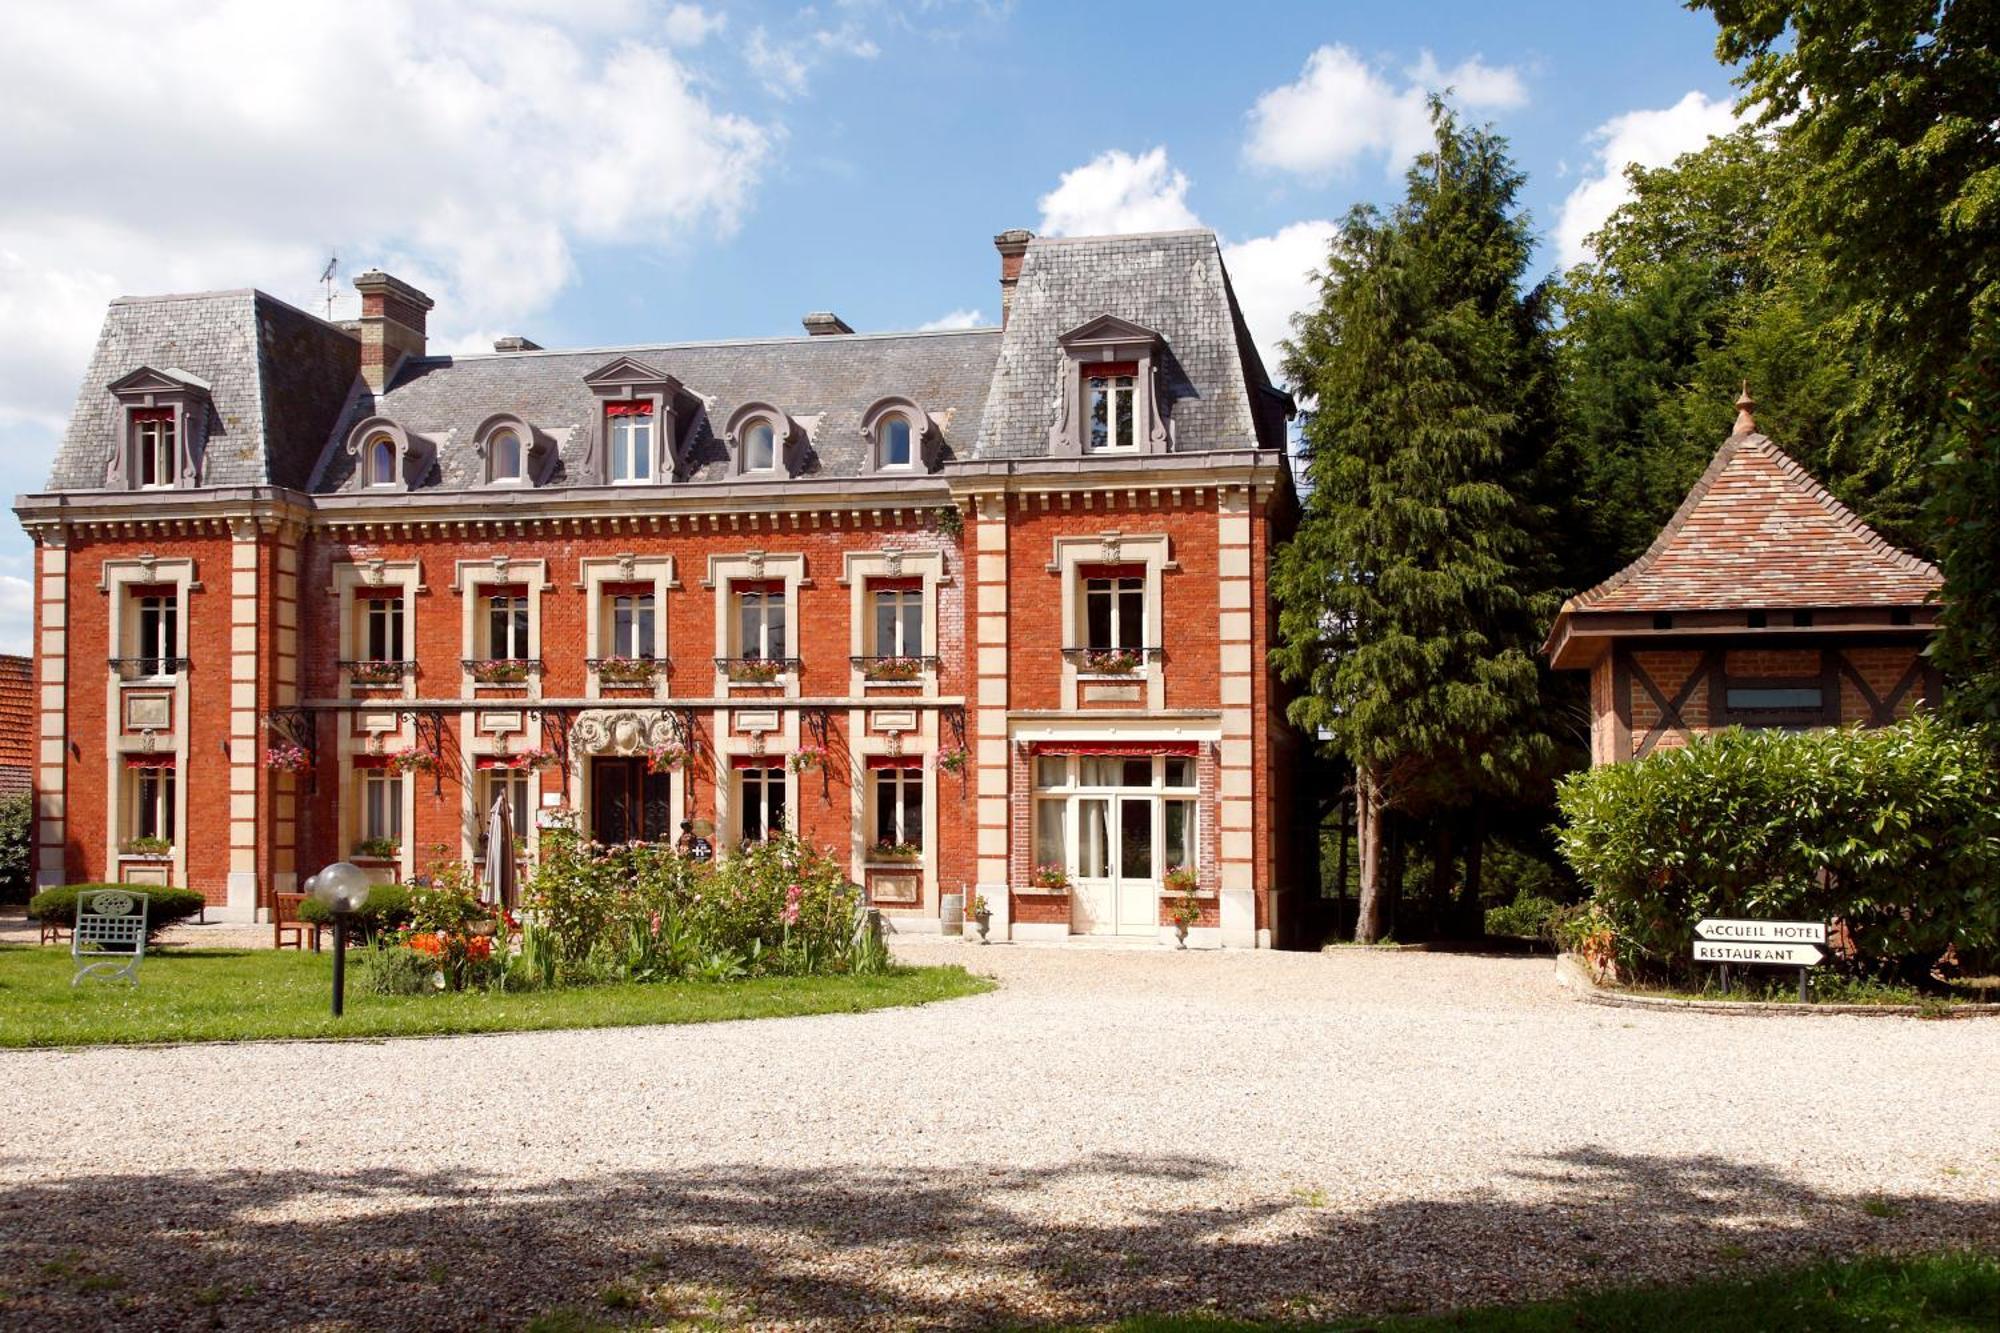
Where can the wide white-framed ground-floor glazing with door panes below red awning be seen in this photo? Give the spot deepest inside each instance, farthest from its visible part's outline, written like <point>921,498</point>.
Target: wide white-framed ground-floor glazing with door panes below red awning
<point>1083,826</point>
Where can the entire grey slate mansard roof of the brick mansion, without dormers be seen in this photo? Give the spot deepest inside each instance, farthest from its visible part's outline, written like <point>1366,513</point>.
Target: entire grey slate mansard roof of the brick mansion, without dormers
<point>287,387</point>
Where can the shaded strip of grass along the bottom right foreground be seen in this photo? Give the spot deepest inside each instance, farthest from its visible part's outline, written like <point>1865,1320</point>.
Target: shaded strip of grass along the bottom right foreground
<point>1929,1294</point>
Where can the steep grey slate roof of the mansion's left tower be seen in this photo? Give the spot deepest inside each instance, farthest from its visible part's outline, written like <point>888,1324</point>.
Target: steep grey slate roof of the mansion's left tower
<point>277,381</point>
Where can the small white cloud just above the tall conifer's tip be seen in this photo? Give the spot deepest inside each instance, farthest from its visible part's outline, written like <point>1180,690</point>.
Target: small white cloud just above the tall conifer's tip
<point>1345,109</point>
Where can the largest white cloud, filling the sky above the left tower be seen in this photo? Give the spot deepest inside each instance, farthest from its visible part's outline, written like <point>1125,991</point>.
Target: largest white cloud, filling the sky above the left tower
<point>467,147</point>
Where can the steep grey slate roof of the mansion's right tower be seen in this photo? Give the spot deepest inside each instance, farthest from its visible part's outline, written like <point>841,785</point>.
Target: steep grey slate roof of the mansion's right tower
<point>1167,281</point>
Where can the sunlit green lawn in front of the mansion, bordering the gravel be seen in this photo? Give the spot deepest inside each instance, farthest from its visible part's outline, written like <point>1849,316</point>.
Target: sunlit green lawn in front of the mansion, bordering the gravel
<point>233,996</point>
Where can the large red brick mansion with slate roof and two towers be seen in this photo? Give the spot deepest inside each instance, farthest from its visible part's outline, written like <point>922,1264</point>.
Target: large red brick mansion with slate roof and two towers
<point>955,605</point>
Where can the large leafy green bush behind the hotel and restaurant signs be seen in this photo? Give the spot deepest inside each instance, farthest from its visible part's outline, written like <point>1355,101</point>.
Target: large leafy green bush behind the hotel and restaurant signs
<point>1895,834</point>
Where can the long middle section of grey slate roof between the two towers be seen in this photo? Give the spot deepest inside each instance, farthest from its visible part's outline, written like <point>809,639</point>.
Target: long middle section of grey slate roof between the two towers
<point>823,383</point>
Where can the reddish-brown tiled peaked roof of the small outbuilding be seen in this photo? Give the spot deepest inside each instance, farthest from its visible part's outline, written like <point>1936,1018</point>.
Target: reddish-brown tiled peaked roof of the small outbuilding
<point>1757,531</point>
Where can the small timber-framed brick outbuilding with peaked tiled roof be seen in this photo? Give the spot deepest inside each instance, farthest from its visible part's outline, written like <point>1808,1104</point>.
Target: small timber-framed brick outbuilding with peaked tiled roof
<point>1763,603</point>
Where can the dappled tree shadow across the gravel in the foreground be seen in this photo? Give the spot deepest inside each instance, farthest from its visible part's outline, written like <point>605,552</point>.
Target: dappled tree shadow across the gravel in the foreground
<point>951,1246</point>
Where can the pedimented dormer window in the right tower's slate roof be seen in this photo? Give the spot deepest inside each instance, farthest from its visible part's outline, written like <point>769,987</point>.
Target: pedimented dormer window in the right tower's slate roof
<point>1109,391</point>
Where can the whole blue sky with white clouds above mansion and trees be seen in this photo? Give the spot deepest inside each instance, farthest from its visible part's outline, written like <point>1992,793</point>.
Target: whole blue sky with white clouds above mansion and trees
<point>645,171</point>
